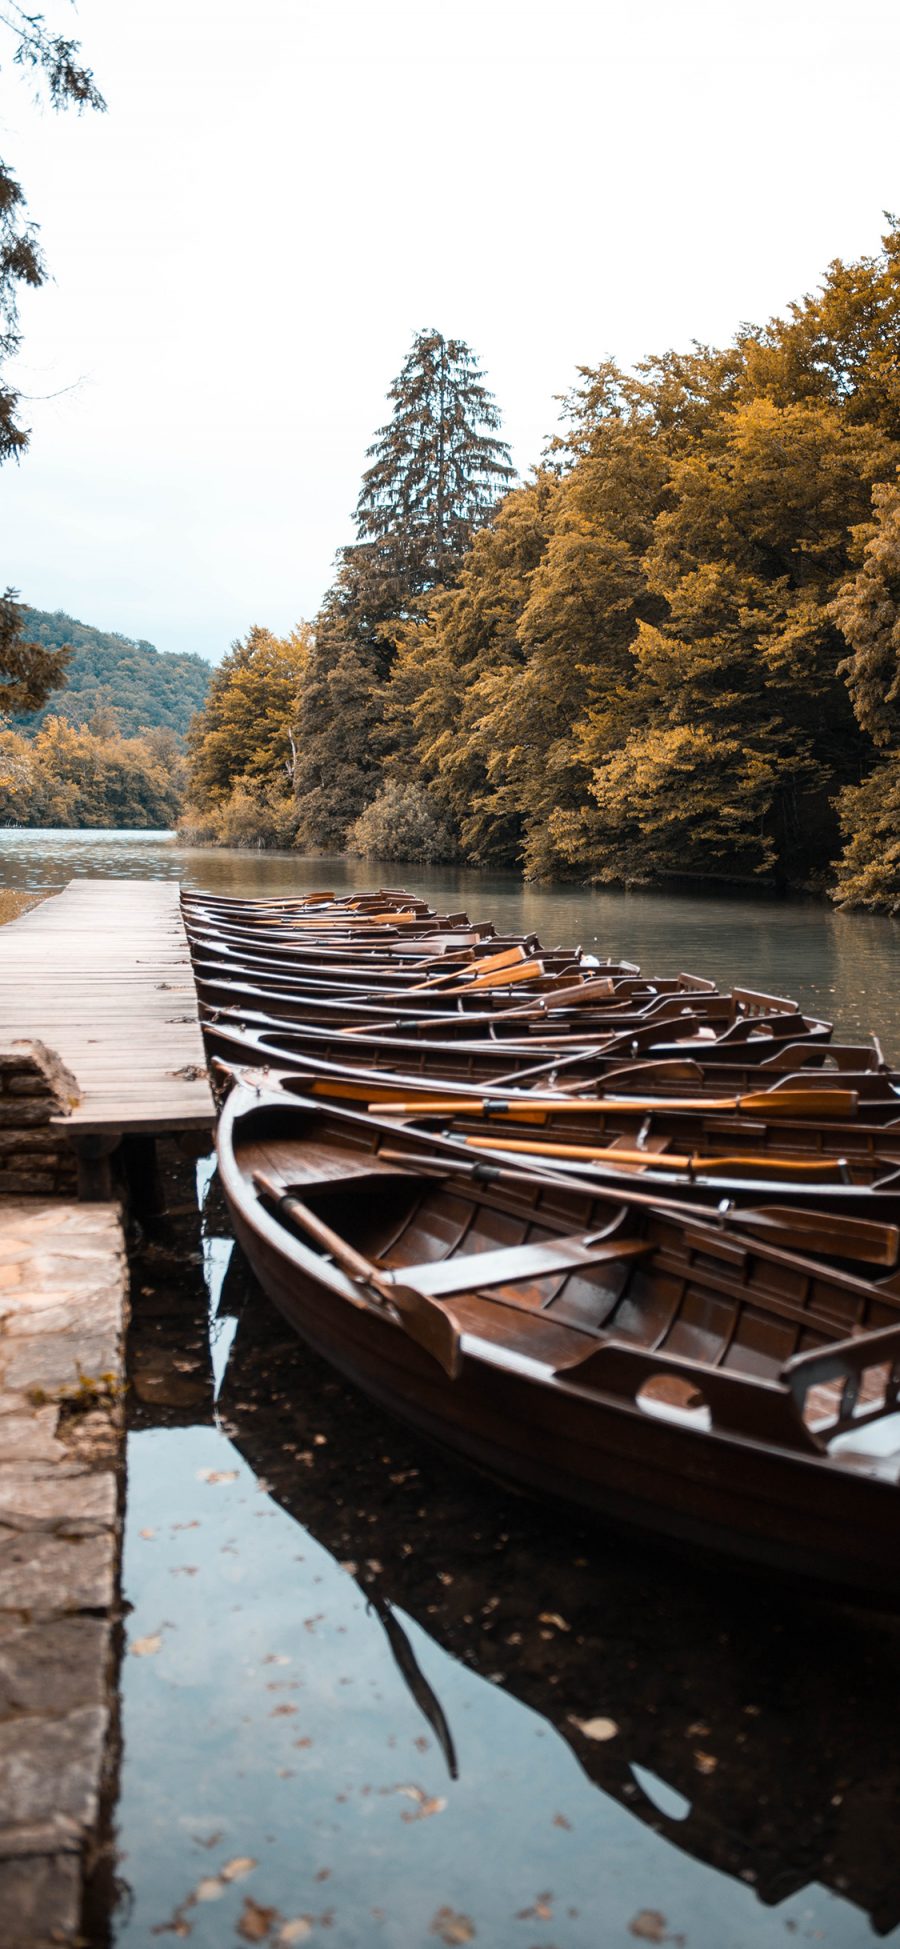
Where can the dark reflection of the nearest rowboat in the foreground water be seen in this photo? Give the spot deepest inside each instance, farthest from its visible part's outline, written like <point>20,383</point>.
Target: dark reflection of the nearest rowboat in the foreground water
<point>751,1728</point>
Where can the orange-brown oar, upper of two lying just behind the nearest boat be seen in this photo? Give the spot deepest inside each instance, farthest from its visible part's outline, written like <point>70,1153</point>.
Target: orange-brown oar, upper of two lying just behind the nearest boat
<point>767,1104</point>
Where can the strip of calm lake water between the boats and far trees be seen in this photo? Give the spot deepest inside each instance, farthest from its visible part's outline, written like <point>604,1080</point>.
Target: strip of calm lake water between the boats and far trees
<point>841,966</point>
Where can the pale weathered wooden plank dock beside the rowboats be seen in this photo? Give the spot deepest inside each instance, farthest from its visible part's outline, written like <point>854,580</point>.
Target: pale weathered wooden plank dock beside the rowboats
<point>102,975</point>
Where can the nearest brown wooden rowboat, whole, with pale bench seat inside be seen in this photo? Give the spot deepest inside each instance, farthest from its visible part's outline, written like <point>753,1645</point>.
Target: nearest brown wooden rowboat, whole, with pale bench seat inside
<point>683,1377</point>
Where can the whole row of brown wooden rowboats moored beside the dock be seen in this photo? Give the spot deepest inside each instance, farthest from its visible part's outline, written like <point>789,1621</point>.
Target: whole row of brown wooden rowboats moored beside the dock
<point>619,1239</point>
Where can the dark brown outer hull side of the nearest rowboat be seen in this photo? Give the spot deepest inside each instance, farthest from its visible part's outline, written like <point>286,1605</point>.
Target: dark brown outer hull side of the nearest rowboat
<point>790,1513</point>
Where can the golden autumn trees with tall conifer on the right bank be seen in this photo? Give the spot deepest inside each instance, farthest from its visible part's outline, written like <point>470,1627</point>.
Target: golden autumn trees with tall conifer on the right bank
<point>673,652</point>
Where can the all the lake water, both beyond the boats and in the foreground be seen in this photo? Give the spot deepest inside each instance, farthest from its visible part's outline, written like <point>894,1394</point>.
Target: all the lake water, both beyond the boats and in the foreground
<point>628,1749</point>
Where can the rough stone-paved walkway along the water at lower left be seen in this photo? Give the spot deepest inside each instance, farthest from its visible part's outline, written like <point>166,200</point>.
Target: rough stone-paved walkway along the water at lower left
<point>63,1309</point>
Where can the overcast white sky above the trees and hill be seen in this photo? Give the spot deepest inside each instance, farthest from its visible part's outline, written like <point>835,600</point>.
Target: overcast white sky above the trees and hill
<point>285,190</point>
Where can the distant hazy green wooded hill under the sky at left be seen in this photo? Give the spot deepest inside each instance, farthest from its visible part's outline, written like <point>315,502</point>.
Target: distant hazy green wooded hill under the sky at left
<point>145,687</point>
